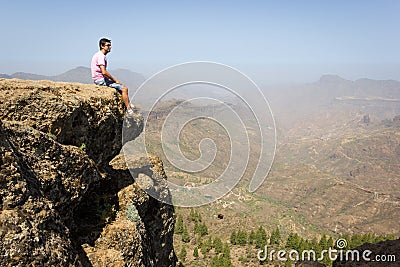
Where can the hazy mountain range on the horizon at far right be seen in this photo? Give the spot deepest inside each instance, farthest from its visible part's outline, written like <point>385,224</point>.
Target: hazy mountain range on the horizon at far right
<point>331,93</point>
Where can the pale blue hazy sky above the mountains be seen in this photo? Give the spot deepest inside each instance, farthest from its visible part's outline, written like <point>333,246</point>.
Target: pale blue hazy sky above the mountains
<point>270,41</point>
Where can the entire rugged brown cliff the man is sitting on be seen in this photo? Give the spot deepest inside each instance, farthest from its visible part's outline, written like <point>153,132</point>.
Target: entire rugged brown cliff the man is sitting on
<point>61,203</point>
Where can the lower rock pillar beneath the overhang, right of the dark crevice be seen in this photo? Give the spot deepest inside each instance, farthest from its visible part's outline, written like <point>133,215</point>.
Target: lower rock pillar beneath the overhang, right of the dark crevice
<point>143,241</point>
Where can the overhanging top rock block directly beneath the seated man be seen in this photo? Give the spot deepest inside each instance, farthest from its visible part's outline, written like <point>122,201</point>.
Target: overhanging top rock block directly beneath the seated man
<point>71,113</point>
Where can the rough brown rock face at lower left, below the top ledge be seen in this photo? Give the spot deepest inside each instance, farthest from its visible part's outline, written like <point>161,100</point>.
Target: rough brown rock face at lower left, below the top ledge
<point>37,196</point>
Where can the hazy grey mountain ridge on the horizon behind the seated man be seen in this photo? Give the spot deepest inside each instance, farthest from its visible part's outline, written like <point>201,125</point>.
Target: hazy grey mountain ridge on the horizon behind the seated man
<point>82,75</point>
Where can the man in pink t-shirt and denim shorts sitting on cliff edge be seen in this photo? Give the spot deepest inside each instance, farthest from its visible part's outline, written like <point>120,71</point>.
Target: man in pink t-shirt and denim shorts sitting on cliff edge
<point>101,76</point>
